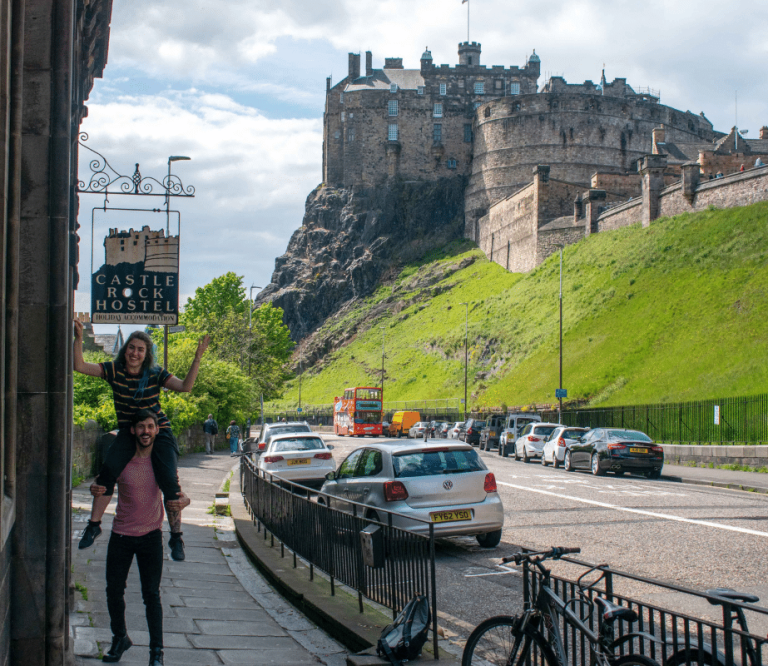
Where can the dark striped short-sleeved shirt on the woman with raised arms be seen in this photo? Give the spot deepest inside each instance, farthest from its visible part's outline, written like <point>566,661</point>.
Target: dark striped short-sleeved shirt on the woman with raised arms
<point>129,394</point>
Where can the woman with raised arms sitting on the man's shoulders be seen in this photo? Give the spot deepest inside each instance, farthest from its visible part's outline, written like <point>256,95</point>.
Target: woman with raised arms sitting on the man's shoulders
<point>136,382</point>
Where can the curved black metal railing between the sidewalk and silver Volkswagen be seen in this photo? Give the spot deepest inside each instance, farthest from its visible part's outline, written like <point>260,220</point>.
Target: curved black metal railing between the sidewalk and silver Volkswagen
<point>329,540</point>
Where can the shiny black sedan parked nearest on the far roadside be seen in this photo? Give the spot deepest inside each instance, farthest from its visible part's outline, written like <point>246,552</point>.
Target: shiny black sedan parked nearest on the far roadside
<point>618,450</point>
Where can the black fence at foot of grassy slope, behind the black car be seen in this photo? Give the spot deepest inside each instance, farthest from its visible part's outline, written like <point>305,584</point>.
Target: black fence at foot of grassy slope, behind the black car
<point>727,420</point>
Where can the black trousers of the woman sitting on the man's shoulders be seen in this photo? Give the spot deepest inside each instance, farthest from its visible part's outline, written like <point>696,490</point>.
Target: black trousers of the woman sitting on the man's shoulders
<point>165,455</point>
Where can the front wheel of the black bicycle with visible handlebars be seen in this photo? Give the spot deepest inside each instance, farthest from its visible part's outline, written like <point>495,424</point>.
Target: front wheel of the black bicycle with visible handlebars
<point>495,642</point>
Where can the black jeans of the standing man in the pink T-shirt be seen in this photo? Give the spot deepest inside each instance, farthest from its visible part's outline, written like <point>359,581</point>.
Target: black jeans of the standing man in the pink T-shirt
<point>148,550</point>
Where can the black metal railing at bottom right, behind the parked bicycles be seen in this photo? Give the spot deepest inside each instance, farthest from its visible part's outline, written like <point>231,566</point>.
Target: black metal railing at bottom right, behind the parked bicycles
<point>674,638</point>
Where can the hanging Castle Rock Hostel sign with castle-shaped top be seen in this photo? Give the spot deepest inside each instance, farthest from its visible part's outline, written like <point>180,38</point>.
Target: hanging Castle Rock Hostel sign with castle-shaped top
<point>139,281</point>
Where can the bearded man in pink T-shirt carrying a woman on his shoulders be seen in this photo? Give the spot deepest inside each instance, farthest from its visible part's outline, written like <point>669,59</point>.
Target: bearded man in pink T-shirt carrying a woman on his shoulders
<point>137,532</point>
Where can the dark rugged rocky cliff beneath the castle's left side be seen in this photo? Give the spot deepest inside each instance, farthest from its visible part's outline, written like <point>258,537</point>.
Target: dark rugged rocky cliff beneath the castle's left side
<point>351,241</point>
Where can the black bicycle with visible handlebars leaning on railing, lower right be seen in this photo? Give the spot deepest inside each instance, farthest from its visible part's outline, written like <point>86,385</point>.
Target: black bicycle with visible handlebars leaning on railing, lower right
<point>509,641</point>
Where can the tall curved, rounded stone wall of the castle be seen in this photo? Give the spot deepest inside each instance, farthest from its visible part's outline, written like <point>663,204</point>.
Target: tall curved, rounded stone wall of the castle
<point>577,134</point>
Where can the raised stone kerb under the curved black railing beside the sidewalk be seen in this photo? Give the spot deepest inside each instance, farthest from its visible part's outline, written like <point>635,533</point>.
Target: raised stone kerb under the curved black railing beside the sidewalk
<point>337,615</point>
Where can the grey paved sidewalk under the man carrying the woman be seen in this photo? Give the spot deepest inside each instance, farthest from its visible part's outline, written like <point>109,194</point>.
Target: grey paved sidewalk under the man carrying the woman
<point>217,608</point>
